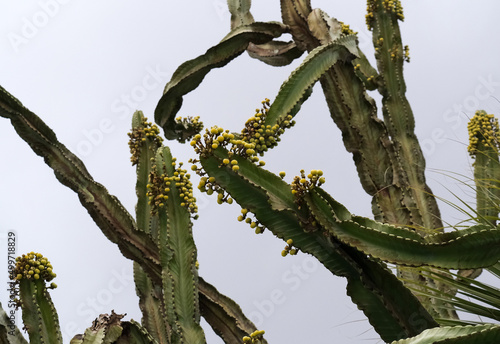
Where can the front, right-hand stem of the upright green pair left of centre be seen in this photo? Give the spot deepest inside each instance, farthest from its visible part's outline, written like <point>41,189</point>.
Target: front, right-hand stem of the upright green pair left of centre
<point>178,252</point>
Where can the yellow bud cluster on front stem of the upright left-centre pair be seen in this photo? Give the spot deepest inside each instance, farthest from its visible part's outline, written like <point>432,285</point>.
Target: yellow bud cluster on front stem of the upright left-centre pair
<point>159,188</point>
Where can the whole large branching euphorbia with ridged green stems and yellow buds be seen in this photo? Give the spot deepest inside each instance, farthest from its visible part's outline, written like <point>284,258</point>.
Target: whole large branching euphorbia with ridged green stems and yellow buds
<point>406,230</point>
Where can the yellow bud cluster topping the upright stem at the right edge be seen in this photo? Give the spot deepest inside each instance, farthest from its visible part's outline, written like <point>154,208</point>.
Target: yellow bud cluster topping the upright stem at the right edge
<point>483,130</point>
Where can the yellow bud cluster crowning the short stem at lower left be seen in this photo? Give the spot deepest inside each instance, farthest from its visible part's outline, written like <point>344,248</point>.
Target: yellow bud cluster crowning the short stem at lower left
<point>33,266</point>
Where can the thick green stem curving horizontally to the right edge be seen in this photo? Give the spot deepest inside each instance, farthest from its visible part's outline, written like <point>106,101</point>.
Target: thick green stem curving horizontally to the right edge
<point>473,247</point>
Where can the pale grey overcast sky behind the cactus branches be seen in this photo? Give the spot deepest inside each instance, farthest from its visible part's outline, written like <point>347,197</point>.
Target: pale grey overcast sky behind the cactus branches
<point>74,62</point>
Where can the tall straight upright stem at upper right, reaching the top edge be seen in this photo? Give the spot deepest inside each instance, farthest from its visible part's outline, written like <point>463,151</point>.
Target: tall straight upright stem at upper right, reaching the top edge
<point>382,19</point>
